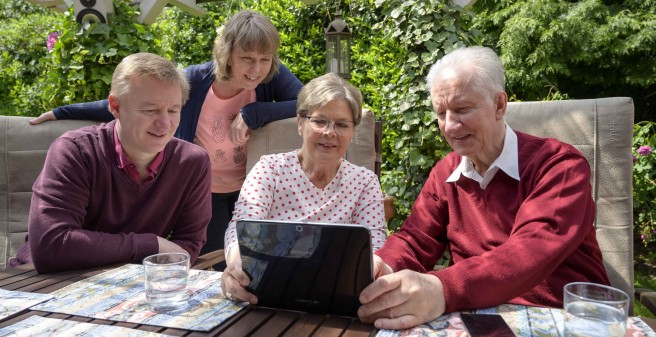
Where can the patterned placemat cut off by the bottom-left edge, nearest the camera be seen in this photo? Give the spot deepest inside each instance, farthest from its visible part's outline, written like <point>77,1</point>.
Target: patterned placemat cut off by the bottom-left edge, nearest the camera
<point>42,326</point>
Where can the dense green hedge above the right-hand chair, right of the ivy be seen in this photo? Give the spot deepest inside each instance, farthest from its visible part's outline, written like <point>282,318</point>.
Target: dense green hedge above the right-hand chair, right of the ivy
<point>587,48</point>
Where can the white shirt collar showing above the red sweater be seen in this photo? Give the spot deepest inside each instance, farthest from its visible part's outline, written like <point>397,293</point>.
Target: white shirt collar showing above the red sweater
<point>508,161</point>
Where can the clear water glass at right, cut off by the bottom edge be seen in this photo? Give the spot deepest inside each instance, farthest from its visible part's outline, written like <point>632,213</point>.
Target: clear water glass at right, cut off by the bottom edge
<point>595,310</point>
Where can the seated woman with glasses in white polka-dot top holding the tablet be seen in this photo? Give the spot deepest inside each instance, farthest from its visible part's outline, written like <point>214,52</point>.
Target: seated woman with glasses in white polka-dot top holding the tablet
<point>313,183</point>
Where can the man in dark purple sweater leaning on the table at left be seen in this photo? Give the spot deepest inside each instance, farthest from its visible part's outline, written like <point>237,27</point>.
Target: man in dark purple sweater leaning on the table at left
<point>118,192</point>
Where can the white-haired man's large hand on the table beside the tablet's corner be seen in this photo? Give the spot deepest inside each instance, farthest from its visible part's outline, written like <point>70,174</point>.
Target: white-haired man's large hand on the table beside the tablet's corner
<point>402,300</point>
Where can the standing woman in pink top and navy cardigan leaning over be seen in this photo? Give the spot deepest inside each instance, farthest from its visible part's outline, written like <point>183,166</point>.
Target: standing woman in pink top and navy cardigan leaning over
<point>243,88</point>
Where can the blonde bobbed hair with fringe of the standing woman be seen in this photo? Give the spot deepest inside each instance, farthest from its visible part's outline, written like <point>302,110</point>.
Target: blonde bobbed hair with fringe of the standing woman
<point>251,31</point>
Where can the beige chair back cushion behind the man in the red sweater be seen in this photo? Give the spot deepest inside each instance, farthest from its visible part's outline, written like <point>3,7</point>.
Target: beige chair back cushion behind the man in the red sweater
<point>602,129</point>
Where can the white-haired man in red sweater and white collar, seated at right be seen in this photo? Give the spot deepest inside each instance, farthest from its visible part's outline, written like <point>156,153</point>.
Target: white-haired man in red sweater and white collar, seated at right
<point>514,210</point>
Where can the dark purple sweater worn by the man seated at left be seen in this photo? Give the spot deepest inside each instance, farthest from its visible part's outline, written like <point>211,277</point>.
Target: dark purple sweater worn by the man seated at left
<point>87,212</point>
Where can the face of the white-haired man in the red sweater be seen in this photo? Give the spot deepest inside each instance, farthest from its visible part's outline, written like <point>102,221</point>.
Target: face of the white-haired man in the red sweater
<point>471,122</point>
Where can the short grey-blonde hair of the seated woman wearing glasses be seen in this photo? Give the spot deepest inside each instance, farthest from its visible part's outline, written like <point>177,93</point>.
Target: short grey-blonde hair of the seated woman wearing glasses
<point>326,88</point>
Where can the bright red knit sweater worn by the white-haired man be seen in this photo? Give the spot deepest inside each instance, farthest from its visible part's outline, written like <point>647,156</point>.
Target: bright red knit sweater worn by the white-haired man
<point>514,242</point>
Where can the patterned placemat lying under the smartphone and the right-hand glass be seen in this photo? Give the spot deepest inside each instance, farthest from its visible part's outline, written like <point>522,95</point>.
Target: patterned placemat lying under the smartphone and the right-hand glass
<point>523,320</point>
